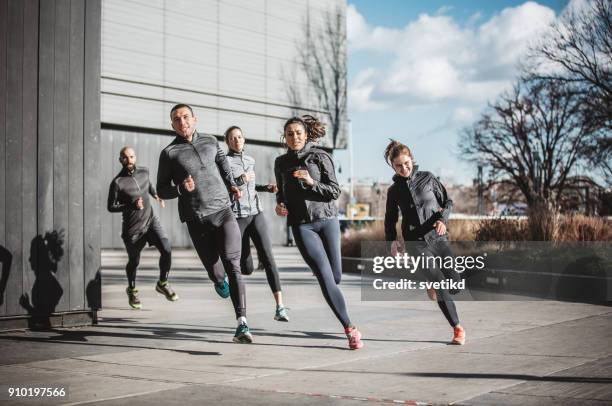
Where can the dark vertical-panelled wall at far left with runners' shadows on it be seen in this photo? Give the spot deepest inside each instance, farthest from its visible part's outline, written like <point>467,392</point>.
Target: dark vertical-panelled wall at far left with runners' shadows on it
<point>49,133</point>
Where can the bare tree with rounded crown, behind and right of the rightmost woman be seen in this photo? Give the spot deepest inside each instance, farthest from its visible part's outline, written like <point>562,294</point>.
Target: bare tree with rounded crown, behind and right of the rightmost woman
<point>531,138</point>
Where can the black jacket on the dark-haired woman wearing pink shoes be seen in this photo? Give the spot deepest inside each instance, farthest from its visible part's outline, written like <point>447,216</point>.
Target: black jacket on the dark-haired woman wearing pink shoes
<point>307,203</point>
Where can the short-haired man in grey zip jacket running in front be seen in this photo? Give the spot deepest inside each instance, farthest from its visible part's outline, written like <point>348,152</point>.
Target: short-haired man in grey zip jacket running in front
<point>194,169</point>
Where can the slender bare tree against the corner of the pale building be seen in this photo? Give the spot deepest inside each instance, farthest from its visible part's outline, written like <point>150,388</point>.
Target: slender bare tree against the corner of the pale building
<point>322,59</point>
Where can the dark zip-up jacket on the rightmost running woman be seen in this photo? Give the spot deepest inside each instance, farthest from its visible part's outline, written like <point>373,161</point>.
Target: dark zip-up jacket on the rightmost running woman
<point>422,200</point>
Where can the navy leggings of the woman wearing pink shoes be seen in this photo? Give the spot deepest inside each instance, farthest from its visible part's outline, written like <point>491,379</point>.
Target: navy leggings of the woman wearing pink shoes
<point>319,244</point>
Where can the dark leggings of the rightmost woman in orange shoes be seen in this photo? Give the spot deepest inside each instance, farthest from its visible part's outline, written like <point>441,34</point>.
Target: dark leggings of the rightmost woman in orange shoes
<point>445,301</point>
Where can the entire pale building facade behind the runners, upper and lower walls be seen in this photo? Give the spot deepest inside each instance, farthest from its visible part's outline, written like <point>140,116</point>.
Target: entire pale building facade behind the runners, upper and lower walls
<point>229,59</point>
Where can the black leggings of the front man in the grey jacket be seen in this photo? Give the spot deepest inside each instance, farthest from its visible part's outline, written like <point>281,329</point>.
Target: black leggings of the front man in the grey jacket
<point>218,237</point>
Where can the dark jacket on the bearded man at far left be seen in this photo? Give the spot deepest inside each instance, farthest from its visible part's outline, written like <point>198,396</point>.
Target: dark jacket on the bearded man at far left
<point>124,190</point>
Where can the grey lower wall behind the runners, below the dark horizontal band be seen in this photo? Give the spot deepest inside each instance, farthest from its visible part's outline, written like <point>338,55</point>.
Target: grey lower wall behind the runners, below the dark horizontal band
<point>147,148</point>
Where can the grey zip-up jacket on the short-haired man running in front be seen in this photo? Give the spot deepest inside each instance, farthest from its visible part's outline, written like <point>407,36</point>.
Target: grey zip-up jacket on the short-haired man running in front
<point>205,161</point>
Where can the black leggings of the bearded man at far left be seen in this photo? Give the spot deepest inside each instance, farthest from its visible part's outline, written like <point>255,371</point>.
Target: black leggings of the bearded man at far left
<point>154,236</point>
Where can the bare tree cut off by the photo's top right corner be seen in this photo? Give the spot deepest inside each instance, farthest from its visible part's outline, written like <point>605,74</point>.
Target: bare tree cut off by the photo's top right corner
<point>578,53</point>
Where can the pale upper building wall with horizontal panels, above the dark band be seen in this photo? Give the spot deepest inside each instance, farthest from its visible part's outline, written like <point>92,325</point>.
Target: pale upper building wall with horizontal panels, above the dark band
<point>225,57</point>
